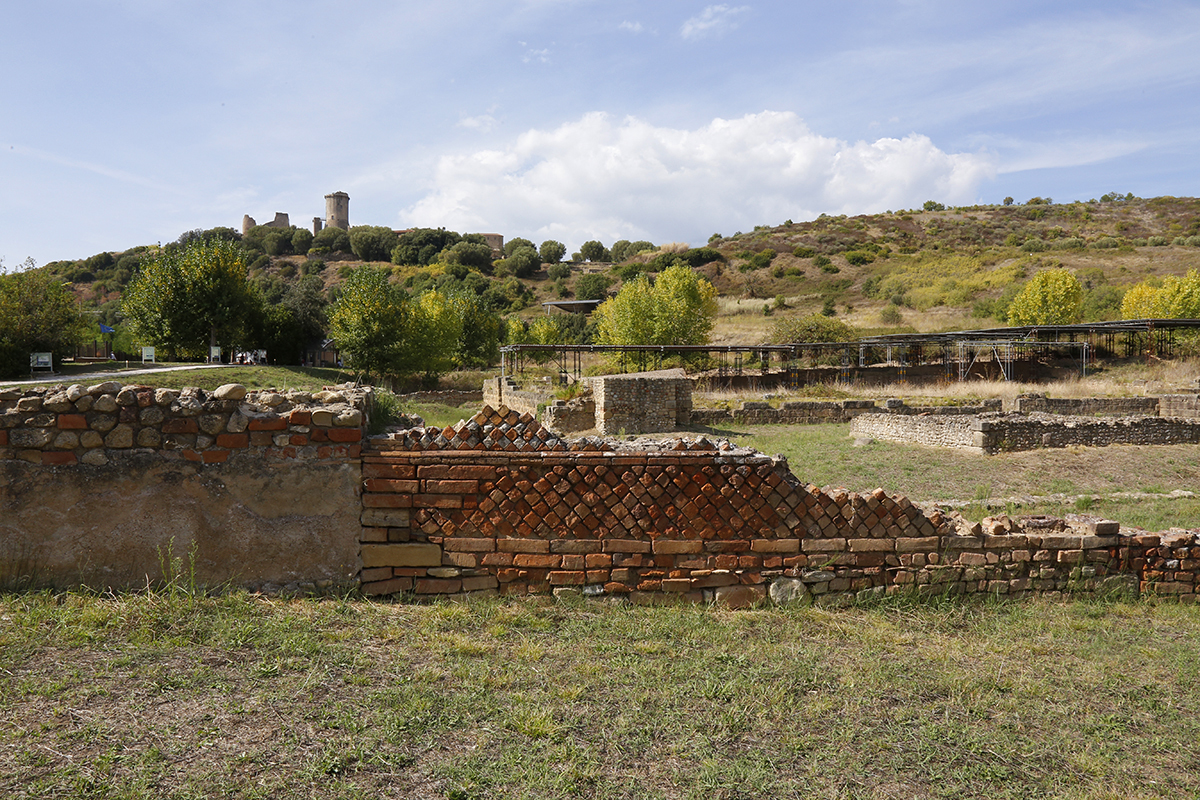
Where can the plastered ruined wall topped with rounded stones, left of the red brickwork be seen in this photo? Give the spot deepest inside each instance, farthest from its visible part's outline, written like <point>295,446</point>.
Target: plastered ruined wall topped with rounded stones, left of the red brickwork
<point>104,486</point>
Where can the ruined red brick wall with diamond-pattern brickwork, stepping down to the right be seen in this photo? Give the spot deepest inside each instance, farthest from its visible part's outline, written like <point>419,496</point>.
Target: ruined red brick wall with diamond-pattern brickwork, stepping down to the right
<point>501,506</point>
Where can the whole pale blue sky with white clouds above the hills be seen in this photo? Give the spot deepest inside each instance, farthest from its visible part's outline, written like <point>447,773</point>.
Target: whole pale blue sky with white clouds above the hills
<point>129,122</point>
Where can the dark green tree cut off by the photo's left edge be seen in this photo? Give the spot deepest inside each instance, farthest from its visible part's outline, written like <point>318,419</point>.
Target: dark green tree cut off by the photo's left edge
<point>38,315</point>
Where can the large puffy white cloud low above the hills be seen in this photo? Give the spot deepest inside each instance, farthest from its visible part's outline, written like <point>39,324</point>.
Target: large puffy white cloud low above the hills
<point>599,178</point>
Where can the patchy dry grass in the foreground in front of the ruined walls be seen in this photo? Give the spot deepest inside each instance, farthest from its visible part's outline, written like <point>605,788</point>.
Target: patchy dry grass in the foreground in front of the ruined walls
<point>171,695</point>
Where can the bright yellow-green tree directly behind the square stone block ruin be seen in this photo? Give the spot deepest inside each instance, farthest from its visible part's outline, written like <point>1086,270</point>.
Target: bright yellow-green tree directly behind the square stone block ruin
<point>677,309</point>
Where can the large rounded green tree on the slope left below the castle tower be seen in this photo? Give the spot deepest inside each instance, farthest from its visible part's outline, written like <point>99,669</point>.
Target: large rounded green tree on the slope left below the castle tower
<point>190,298</point>
